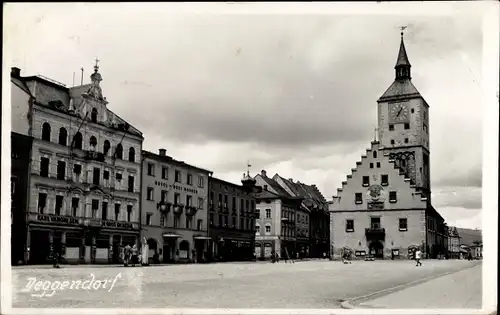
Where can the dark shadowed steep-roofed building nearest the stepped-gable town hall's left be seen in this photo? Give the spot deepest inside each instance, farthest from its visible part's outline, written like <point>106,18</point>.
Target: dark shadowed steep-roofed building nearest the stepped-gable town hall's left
<point>313,218</point>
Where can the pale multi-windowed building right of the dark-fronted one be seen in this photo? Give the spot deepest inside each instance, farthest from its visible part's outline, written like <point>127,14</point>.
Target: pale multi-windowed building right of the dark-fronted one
<point>276,219</point>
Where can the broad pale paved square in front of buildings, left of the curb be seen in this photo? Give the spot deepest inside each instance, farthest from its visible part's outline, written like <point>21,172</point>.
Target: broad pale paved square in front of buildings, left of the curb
<point>313,284</point>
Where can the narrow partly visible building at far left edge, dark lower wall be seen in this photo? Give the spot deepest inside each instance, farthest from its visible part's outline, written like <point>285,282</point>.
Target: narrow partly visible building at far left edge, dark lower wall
<point>21,144</point>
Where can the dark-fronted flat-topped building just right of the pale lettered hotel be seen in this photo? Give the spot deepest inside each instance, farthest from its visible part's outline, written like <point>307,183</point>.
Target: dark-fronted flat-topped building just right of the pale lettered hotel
<point>231,219</point>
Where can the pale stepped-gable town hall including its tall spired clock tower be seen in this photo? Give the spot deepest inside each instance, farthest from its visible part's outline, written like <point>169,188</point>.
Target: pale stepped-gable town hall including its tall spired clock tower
<point>384,206</point>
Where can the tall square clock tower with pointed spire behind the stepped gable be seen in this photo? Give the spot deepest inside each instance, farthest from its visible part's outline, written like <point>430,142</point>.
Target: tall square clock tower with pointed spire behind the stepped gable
<point>403,125</point>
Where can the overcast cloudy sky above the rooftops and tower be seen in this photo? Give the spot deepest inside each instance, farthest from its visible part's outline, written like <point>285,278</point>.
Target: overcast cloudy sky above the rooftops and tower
<point>294,94</point>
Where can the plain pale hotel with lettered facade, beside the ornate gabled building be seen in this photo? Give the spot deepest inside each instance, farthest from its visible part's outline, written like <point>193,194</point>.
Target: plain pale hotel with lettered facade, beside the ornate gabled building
<point>174,209</point>
